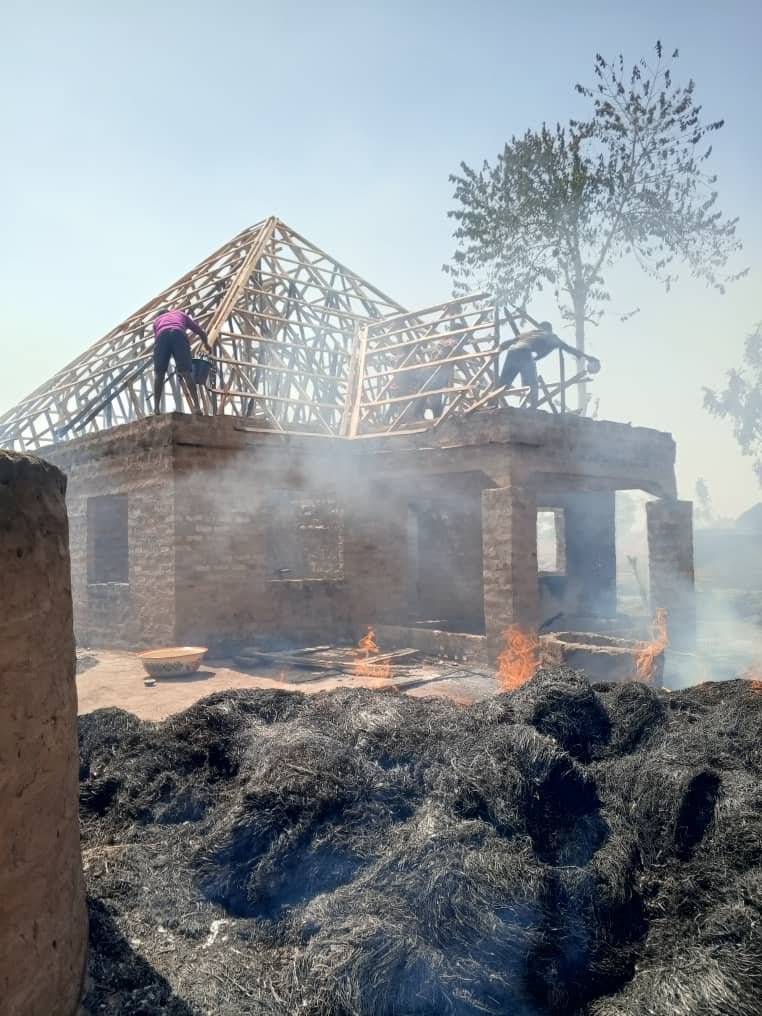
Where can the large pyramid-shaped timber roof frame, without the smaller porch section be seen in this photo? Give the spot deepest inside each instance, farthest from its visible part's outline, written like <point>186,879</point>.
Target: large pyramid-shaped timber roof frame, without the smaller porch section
<point>282,314</point>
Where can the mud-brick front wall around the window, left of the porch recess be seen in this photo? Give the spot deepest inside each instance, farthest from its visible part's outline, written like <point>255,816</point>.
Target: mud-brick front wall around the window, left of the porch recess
<point>231,542</point>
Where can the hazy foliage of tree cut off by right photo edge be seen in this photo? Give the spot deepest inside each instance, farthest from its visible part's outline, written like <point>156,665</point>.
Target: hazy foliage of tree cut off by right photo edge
<point>742,401</point>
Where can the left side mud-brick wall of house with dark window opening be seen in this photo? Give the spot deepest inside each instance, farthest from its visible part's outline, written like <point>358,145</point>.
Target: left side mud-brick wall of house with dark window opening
<point>136,462</point>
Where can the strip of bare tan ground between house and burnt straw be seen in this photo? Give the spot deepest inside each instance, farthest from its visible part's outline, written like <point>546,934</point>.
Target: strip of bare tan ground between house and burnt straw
<point>117,680</point>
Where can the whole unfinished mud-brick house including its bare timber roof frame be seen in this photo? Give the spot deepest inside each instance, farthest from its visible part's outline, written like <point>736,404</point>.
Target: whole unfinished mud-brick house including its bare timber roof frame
<point>359,464</point>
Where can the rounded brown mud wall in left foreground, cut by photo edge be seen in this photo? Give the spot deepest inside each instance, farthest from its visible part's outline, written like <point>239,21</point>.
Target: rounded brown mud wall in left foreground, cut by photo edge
<point>43,920</point>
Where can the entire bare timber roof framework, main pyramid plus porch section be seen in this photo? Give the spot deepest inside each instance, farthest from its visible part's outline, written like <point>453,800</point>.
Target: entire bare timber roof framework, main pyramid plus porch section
<point>300,343</point>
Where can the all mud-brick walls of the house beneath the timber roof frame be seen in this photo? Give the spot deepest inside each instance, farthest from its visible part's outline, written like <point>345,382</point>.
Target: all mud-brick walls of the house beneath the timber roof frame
<point>222,550</point>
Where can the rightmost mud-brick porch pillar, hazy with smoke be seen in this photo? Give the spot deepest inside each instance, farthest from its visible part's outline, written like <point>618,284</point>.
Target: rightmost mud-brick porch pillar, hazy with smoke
<point>671,567</point>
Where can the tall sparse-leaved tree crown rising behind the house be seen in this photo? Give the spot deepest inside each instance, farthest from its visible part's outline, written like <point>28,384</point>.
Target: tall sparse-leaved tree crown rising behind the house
<point>561,206</point>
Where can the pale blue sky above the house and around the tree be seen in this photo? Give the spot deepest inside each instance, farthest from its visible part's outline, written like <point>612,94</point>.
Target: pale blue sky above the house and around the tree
<point>137,142</point>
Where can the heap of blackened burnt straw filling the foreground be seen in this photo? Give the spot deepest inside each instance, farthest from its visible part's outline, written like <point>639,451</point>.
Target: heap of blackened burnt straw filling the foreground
<point>561,850</point>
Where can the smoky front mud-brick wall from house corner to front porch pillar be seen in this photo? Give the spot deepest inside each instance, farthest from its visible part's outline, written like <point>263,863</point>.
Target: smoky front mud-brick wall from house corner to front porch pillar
<point>411,548</point>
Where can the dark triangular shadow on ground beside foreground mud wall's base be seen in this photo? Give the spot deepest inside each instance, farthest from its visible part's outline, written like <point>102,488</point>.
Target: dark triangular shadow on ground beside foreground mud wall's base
<point>120,982</point>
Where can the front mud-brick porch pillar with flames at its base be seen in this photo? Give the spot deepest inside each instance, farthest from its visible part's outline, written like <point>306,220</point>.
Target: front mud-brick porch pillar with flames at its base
<point>510,538</point>
